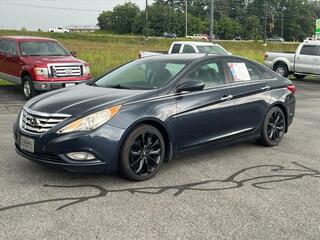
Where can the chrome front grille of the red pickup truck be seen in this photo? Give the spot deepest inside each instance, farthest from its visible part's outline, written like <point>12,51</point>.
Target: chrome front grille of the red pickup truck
<point>65,70</point>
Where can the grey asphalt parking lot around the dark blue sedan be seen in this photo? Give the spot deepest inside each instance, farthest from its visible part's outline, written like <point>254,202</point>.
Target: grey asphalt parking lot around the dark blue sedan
<point>241,191</point>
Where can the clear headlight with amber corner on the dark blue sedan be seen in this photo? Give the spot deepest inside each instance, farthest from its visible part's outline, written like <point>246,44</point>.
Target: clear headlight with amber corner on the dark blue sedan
<point>91,121</point>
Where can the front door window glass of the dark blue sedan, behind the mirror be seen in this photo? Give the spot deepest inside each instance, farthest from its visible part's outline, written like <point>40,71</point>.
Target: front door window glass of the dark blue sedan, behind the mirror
<point>211,73</point>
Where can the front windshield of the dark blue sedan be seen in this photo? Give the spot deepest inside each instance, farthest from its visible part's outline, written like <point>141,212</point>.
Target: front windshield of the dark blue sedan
<point>142,74</point>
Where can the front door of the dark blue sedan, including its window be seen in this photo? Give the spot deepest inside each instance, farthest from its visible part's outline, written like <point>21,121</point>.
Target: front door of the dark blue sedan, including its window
<point>207,115</point>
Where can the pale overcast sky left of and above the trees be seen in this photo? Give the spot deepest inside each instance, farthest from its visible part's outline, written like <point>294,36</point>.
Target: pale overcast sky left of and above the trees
<point>45,14</point>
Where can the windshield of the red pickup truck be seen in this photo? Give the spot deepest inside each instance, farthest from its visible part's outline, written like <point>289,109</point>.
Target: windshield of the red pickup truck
<point>41,48</point>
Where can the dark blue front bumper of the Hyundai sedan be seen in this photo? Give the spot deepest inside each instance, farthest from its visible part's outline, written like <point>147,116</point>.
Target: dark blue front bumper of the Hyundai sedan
<point>51,149</point>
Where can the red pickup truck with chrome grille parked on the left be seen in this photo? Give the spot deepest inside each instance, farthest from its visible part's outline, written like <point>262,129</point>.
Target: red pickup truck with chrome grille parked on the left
<point>39,64</point>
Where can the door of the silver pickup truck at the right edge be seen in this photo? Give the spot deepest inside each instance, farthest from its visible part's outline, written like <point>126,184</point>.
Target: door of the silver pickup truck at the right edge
<point>305,61</point>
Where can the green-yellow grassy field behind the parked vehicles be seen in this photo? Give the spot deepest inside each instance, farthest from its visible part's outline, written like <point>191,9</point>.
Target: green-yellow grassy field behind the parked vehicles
<point>105,52</point>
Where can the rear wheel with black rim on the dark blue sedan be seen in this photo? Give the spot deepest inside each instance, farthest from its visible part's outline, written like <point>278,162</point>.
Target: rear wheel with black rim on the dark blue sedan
<point>273,128</point>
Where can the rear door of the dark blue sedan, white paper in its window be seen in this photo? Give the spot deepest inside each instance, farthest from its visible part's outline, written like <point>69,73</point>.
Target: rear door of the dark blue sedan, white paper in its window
<point>251,93</point>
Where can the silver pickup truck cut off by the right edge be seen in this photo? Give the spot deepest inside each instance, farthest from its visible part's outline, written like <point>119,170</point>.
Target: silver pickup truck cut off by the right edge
<point>305,61</point>
